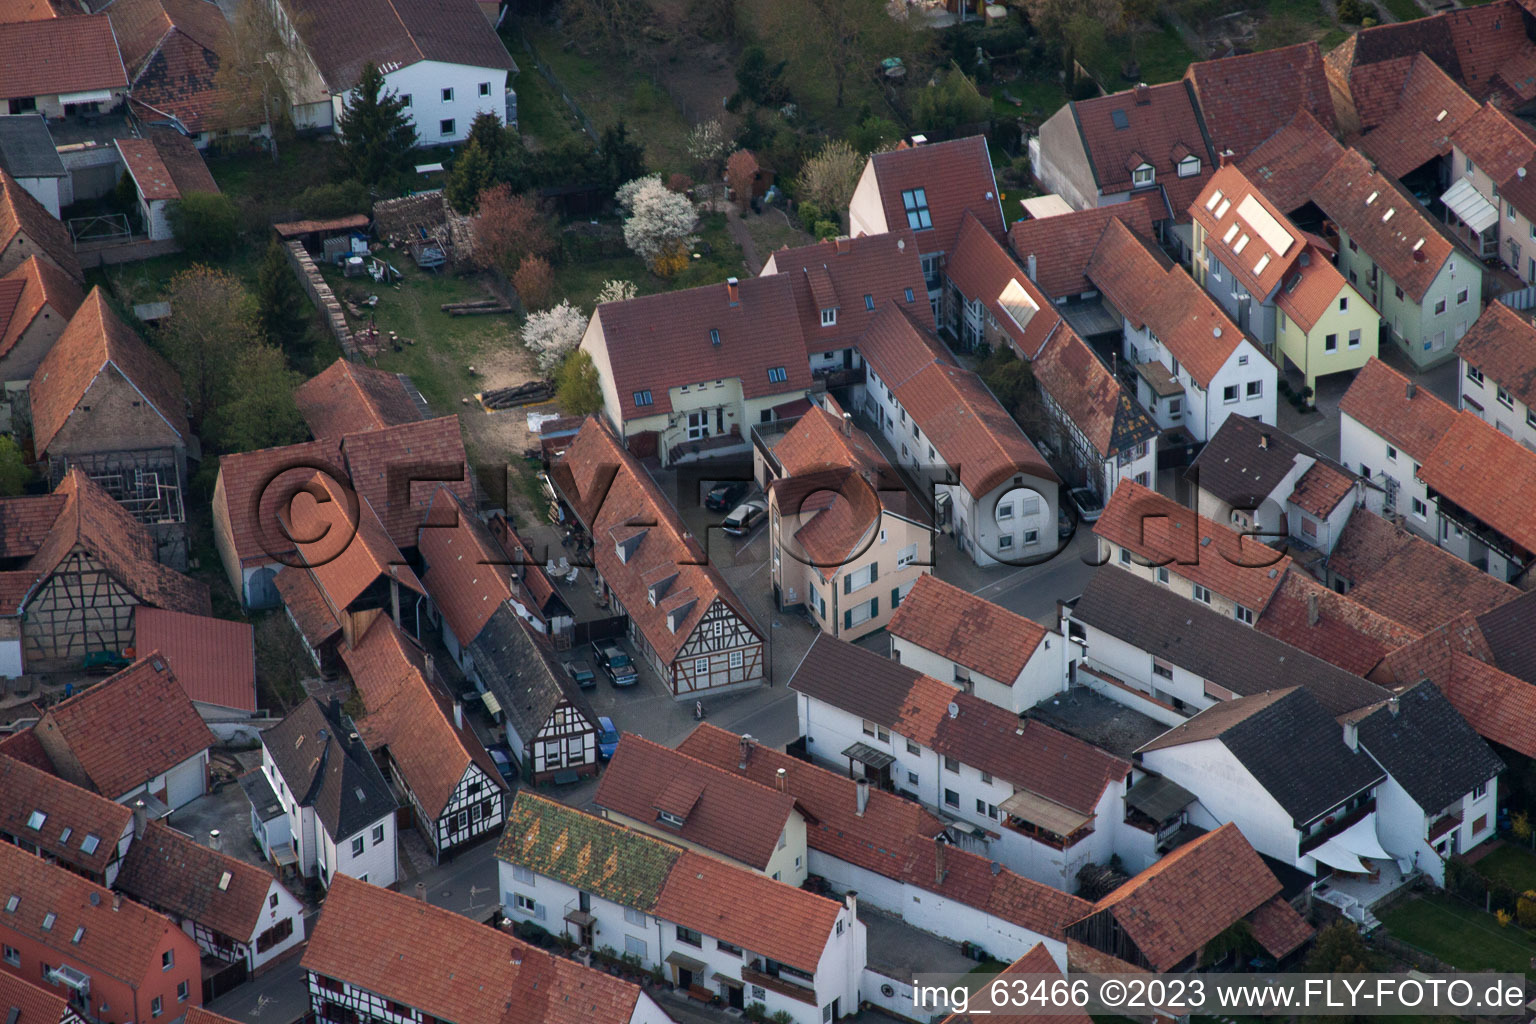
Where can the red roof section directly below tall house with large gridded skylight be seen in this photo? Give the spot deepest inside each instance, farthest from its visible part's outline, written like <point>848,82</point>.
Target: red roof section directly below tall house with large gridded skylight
<point>850,274</point>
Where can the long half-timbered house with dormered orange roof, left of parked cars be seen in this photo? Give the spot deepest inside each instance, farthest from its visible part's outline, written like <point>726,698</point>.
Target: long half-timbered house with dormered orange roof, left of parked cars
<point>683,616</point>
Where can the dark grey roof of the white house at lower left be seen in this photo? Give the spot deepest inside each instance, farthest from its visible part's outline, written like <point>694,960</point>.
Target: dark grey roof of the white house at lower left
<point>328,768</point>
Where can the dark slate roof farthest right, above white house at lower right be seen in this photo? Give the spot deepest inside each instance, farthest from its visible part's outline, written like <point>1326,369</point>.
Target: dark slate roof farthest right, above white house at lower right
<point>1428,748</point>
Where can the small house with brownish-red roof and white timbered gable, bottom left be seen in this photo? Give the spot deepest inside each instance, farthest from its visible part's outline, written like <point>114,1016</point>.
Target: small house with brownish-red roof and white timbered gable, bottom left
<point>234,911</point>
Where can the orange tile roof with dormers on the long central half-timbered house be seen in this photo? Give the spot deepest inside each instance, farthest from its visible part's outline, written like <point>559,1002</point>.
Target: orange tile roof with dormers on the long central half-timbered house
<point>612,494</point>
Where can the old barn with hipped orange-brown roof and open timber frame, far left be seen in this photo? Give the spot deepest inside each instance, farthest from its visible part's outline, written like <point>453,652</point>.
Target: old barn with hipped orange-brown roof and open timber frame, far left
<point>105,403</point>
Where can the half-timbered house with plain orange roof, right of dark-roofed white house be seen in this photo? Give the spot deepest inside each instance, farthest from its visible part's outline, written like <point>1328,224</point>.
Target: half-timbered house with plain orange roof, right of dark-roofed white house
<point>429,751</point>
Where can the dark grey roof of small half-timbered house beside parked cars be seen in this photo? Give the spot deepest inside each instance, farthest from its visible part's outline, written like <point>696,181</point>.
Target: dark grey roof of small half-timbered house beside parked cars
<point>528,684</point>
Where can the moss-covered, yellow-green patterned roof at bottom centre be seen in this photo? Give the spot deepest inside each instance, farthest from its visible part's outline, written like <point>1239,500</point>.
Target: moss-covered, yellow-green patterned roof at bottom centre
<point>584,851</point>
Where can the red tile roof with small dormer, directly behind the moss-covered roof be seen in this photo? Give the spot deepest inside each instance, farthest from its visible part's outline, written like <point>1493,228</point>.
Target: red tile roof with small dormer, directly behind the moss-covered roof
<point>732,816</point>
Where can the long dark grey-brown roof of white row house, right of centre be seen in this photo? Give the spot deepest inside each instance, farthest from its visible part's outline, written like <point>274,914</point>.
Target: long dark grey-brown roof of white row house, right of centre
<point>1211,646</point>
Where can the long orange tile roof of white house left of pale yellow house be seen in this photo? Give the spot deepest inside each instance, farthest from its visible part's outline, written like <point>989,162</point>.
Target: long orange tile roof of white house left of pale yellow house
<point>1164,297</point>
